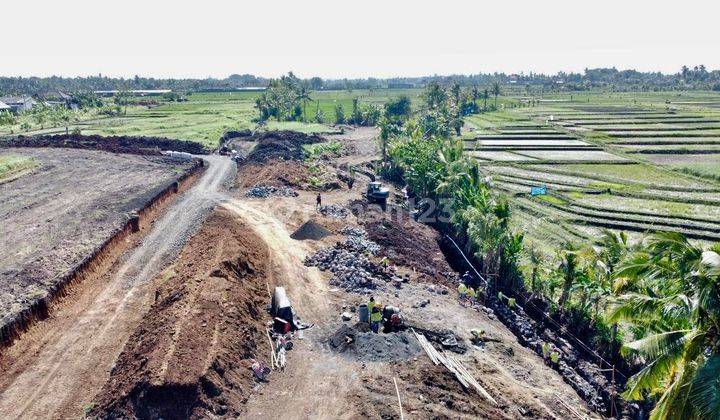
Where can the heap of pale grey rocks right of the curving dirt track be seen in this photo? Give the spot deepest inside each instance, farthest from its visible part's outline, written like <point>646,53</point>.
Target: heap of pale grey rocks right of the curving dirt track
<point>348,261</point>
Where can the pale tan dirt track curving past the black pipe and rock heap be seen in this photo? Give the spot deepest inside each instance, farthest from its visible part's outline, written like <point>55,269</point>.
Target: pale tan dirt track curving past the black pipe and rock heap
<point>322,379</point>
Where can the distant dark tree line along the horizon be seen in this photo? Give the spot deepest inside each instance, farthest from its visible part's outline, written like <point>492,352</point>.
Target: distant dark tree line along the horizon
<point>687,78</point>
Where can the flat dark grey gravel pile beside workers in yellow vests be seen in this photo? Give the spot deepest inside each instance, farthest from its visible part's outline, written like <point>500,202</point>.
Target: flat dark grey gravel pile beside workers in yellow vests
<point>360,343</point>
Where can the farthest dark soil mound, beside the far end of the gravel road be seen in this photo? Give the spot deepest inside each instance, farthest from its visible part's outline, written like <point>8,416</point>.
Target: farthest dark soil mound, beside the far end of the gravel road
<point>287,145</point>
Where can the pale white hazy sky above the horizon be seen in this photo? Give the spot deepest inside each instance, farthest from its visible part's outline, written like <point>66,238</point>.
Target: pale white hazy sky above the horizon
<point>359,38</point>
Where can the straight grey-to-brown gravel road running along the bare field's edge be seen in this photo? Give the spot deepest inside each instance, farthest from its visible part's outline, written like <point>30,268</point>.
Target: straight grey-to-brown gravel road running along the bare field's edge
<point>57,368</point>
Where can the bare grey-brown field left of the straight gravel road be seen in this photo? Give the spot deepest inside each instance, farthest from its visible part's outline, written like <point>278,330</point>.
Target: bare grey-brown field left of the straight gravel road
<point>55,216</point>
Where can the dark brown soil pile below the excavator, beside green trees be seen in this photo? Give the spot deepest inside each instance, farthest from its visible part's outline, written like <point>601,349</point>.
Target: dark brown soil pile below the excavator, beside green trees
<point>407,243</point>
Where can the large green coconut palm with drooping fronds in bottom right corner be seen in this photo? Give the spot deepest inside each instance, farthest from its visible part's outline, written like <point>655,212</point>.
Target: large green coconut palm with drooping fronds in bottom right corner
<point>674,298</point>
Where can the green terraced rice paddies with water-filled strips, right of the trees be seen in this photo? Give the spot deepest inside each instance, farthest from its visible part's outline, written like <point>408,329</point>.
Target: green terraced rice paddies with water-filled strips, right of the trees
<point>622,167</point>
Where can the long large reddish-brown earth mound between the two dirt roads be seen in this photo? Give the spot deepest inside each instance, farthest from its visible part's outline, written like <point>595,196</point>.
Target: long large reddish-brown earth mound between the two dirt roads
<point>190,356</point>
